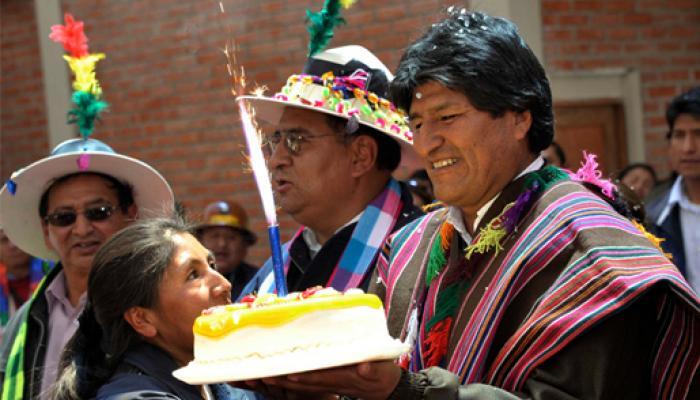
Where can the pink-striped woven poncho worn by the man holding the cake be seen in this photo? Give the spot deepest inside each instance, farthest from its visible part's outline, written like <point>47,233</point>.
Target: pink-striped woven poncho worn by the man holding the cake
<point>596,285</point>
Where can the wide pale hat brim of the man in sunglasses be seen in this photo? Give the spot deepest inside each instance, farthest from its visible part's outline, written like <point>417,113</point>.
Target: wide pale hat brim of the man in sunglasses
<point>19,212</point>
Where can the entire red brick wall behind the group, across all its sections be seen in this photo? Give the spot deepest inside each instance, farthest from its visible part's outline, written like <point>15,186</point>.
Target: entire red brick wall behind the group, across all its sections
<point>165,76</point>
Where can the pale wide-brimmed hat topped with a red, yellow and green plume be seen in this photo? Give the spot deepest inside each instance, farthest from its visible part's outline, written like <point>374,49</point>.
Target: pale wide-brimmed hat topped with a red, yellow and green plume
<point>21,194</point>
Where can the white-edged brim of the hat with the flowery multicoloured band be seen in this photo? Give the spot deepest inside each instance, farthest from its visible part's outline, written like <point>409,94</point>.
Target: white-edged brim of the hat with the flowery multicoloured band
<point>270,110</point>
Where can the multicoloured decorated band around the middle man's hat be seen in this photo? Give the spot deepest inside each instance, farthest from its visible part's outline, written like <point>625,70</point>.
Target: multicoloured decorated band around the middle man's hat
<point>347,96</point>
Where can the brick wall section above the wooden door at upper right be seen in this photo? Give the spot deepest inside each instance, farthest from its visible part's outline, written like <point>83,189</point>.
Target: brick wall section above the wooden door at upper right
<point>660,38</point>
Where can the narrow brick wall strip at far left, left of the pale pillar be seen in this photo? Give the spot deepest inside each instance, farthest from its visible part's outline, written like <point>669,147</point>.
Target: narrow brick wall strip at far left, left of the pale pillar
<point>22,111</point>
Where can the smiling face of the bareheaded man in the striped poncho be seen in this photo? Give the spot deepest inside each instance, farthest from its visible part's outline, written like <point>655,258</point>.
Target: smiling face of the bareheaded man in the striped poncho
<point>470,156</point>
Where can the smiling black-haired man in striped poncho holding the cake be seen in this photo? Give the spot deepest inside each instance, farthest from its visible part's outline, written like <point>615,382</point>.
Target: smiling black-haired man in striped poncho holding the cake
<point>528,284</point>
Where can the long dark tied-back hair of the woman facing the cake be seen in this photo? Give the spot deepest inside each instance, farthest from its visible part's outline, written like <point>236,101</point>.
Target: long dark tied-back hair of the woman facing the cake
<point>126,272</point>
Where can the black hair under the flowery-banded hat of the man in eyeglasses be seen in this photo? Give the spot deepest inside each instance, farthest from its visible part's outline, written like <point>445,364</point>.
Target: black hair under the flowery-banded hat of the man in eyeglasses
<point>388,149</point>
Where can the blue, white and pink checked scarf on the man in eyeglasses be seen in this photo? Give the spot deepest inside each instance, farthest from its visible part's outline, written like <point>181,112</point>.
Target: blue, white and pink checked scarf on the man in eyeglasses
<point>375,225</point>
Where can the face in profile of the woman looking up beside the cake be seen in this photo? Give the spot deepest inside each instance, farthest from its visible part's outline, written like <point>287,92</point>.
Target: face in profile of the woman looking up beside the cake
<point>190,285</point>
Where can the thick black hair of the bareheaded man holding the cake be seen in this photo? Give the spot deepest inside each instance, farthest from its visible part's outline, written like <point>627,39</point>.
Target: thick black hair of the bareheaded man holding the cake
<point>485,59</point>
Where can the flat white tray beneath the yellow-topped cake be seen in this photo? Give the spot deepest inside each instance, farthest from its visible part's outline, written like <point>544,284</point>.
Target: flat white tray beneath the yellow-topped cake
<point>300,360</point>
